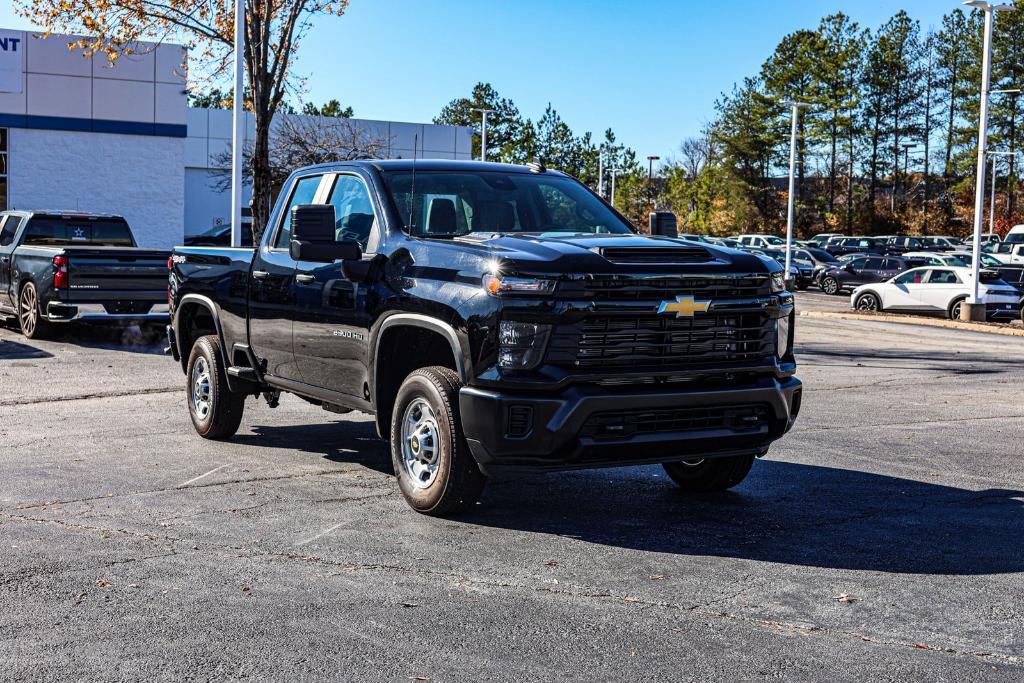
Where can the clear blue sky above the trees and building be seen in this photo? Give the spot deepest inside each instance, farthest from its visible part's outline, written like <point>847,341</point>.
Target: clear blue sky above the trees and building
<point>651,70</point>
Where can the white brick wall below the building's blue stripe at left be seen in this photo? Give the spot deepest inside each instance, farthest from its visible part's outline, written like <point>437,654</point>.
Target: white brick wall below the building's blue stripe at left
<point>141,178</point>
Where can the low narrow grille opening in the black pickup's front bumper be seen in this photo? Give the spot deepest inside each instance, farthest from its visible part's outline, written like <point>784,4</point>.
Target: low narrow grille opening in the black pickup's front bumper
<point>629,423</point>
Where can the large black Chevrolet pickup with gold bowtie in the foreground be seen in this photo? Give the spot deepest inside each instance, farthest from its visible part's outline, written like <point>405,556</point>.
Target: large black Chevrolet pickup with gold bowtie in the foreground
<point>495,319</point>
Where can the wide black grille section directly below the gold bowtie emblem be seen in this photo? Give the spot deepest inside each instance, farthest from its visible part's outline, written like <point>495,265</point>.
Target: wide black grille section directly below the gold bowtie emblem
<point>653,341</point>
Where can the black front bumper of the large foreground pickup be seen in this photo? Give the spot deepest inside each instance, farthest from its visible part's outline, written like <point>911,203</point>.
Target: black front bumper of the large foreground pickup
<point>589,426</point>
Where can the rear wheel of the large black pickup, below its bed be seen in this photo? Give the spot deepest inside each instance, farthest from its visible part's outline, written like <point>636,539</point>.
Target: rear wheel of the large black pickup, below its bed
<point>216,410</point>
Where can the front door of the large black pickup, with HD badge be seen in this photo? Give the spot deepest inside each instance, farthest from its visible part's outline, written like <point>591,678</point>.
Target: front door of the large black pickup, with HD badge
<point>332,313</point>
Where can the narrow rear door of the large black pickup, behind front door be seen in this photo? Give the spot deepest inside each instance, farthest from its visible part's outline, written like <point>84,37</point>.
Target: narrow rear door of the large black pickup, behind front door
<point>272,287</point>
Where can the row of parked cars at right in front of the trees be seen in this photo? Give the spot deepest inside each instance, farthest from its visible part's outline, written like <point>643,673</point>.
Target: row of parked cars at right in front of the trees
<point>904,273</point>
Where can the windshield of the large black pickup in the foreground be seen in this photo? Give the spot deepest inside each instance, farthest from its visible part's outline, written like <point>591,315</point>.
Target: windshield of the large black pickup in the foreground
<point>450,203</point>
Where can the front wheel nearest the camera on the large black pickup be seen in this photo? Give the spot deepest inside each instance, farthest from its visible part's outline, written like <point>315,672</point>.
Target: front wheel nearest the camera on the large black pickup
<point>434,439</point>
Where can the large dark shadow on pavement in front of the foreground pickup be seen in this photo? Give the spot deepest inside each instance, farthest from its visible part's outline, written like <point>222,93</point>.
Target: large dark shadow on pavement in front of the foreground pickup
<point>785,513</point>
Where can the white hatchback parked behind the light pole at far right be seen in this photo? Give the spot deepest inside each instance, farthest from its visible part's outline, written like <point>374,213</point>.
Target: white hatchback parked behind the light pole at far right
<point>940,290</point>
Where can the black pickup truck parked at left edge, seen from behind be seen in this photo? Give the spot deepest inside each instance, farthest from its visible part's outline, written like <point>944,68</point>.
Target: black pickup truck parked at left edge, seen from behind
<point>61,268</point>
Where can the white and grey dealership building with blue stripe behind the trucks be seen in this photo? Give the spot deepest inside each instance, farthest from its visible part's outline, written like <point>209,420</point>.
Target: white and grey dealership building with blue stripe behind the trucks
<point>80,135</point>
